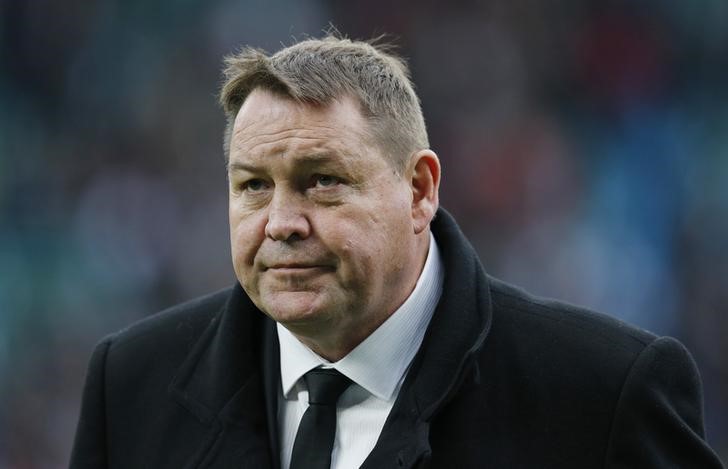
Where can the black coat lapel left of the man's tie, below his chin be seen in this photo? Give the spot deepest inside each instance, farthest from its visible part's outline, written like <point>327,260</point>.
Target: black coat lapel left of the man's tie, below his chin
<point>221,384</point>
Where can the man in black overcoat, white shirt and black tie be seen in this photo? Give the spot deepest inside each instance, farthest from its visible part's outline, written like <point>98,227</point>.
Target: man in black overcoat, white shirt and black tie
<point>363,330</point>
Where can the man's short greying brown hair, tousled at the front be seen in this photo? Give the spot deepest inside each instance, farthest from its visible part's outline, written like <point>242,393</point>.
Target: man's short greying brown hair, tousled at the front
<point>318,71</point>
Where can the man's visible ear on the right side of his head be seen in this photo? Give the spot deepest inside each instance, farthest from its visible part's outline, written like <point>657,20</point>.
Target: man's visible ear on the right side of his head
<point>424,176</point>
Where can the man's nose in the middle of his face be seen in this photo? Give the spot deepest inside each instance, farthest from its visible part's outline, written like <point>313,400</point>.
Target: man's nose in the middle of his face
<point>287,219</point>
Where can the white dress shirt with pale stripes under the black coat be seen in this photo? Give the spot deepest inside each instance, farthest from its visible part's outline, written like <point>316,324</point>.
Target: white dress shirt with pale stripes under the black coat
<point>377,366</point>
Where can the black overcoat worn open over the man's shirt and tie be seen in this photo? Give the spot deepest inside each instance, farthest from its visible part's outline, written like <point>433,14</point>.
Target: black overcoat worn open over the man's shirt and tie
<point>502,380</point>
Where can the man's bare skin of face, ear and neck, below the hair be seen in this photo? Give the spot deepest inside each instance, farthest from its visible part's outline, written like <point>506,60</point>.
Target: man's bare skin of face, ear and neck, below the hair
<point>327,238</point>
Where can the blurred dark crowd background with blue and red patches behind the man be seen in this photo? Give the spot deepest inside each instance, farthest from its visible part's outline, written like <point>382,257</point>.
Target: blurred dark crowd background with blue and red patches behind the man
<point>584,148</point>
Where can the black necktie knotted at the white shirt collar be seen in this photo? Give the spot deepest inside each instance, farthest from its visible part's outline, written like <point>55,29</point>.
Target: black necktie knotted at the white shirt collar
<point>315,436</point>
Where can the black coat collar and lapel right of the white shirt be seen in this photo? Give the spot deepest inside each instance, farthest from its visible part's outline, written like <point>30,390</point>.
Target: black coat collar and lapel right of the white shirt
<point>458,329</point>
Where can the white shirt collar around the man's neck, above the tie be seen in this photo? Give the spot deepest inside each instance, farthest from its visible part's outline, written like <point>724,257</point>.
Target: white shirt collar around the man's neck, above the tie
<point>379,363</point>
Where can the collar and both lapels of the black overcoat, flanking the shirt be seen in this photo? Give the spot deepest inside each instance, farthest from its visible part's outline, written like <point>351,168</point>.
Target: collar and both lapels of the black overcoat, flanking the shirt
<point>231,379</point>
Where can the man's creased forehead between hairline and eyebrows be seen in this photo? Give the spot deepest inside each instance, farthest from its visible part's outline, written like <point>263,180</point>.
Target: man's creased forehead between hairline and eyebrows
<point>268,124</point>
